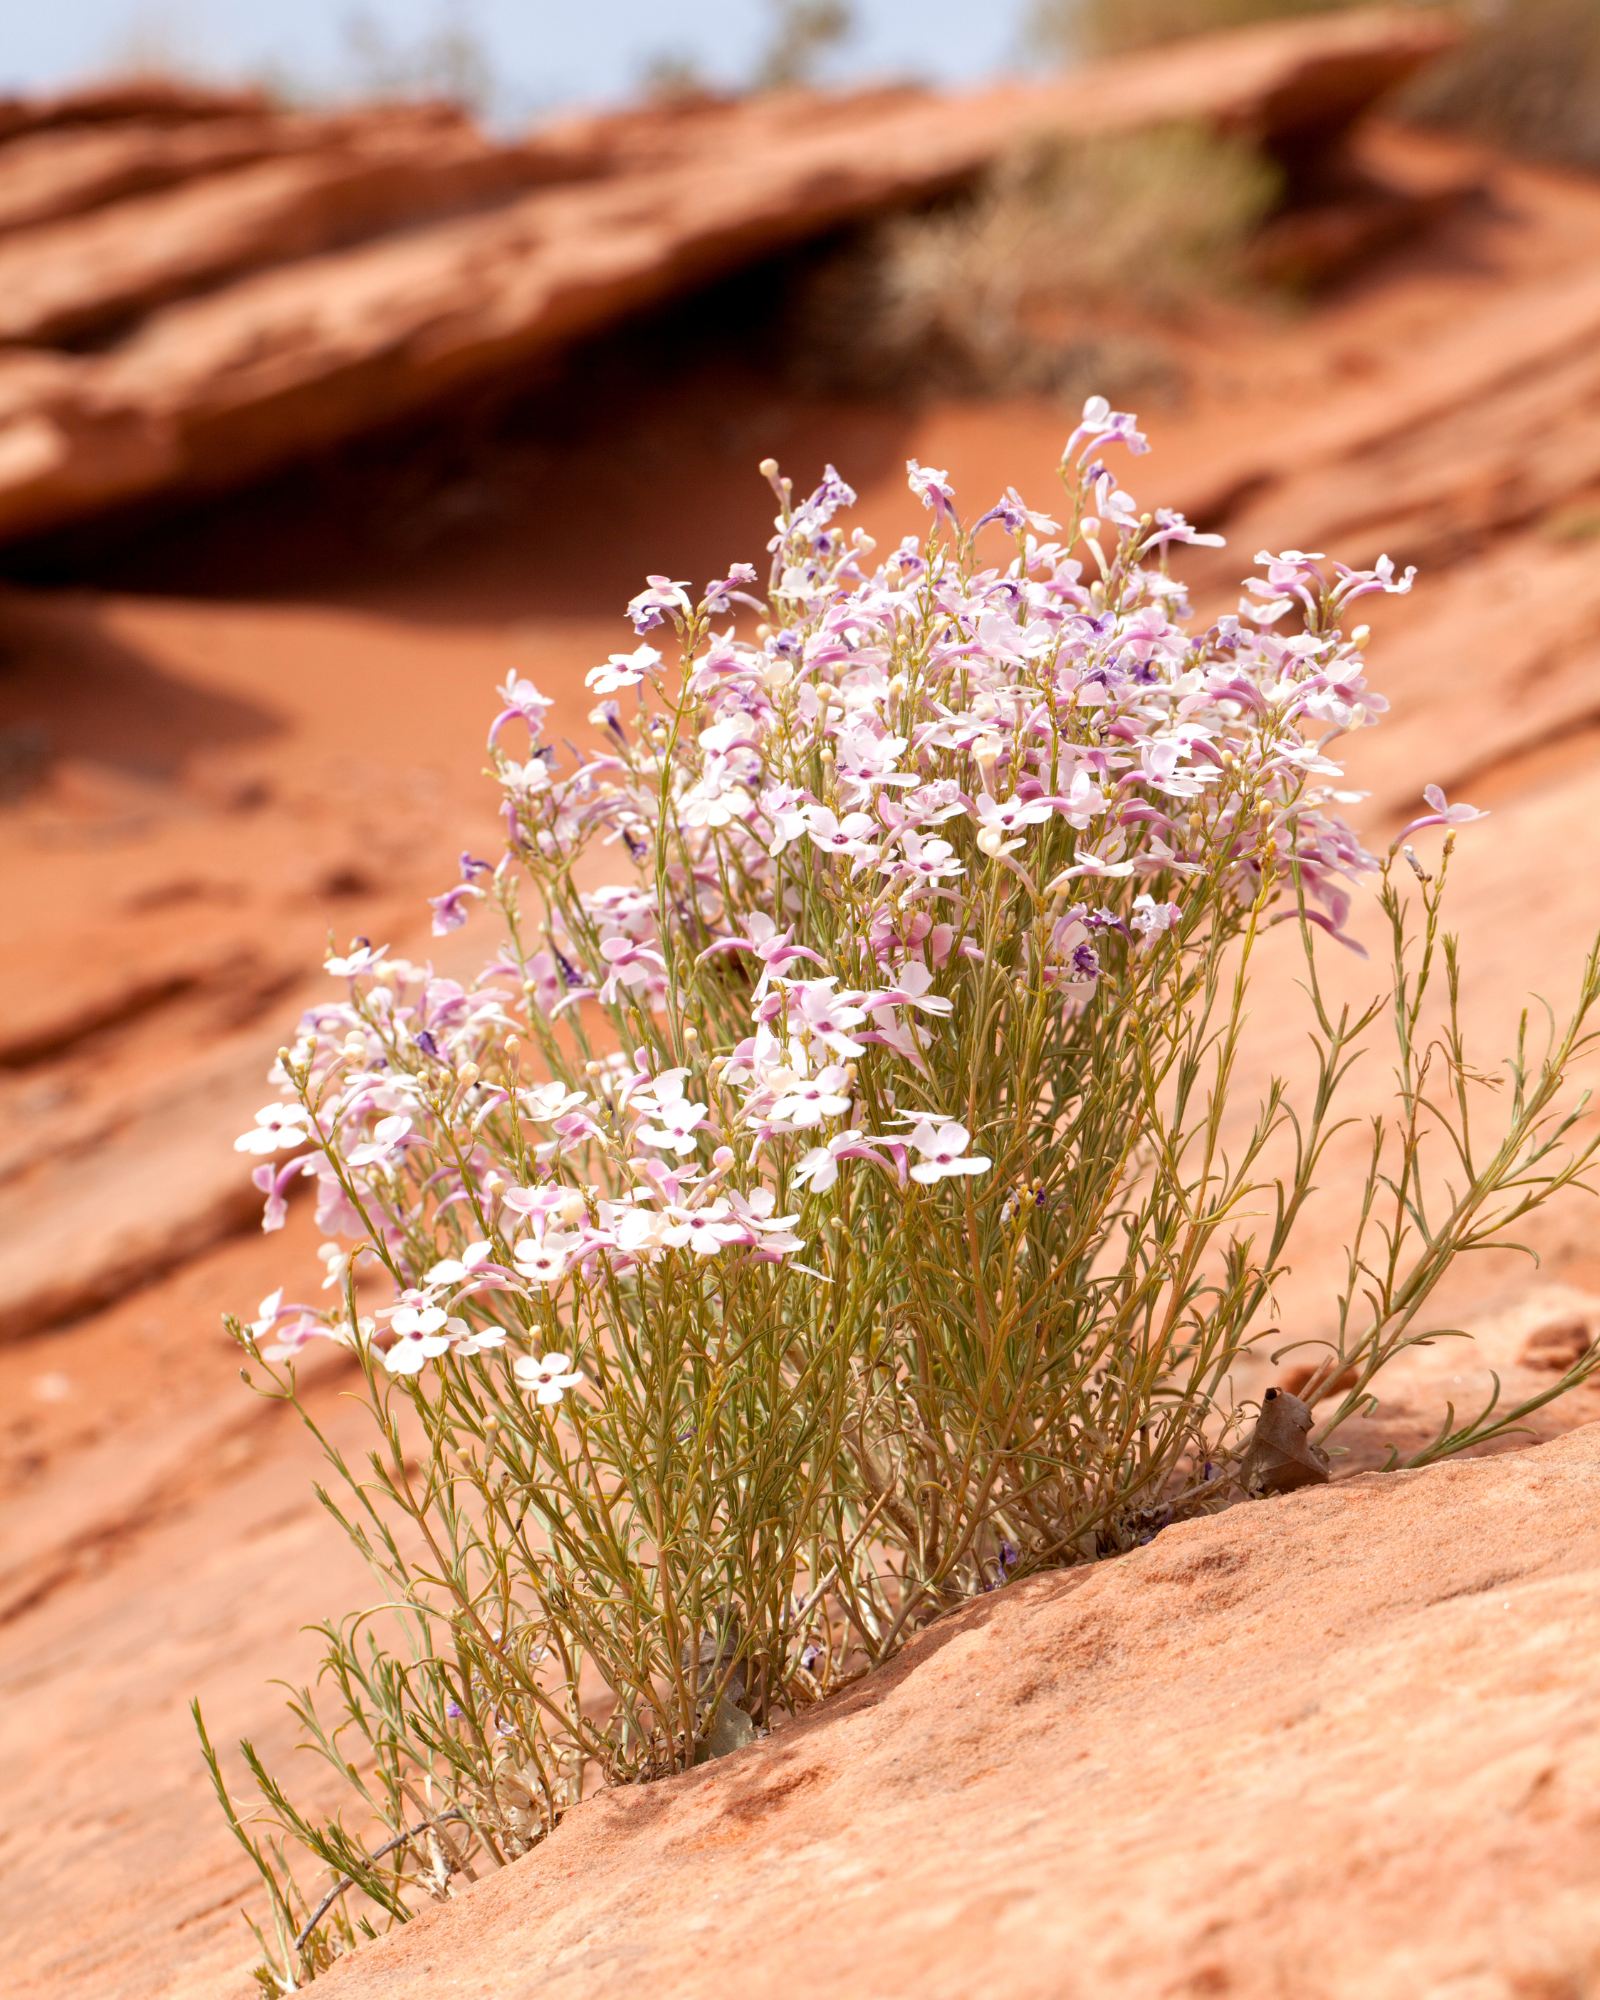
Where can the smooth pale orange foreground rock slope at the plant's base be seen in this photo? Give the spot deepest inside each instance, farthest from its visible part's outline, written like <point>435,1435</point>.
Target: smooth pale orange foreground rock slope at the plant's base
<point>1335,1745</point>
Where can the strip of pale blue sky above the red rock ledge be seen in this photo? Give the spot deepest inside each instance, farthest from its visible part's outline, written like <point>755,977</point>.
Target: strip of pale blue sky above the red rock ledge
<point>545,53</point>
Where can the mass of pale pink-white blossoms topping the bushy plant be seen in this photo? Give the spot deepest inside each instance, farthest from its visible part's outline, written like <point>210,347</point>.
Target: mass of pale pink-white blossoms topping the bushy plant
<point>817,813</point>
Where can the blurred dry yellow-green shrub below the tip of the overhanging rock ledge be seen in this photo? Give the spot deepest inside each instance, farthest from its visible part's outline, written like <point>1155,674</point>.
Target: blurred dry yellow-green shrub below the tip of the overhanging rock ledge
<point>1017,287</point>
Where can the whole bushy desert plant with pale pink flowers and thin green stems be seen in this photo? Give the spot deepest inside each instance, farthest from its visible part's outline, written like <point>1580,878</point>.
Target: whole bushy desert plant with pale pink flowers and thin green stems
<point>847,1209</point>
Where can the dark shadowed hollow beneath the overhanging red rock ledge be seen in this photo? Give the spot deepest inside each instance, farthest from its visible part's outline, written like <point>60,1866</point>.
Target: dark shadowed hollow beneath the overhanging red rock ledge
<point>553,493</point>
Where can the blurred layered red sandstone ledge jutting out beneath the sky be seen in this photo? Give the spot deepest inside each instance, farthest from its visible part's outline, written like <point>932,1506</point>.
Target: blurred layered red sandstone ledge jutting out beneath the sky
<point>257,291</point>
